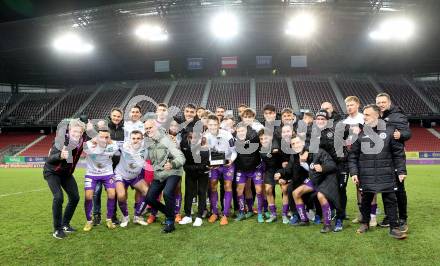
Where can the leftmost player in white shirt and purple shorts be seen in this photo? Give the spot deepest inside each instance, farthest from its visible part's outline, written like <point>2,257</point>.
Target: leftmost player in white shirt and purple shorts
<point>100,151</point>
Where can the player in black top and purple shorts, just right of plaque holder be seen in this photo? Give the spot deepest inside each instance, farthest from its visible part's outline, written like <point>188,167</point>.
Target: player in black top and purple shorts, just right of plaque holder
<point>249,167</point>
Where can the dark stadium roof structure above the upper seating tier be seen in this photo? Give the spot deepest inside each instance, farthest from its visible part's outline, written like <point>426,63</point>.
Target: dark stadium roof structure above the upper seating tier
<point>342,44</point>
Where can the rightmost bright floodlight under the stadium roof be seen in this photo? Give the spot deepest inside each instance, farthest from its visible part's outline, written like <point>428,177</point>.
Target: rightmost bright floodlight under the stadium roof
<point>397,29</point>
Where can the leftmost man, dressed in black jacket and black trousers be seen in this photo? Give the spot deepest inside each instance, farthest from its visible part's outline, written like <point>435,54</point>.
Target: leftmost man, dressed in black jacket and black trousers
<point>58,170</point>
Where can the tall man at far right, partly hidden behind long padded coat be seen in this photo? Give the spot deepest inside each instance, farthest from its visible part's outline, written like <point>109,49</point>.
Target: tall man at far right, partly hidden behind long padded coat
<point>394,116</point>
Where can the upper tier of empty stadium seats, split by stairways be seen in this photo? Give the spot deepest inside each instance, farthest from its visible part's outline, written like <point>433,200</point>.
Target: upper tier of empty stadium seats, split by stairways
<point>311,91</point>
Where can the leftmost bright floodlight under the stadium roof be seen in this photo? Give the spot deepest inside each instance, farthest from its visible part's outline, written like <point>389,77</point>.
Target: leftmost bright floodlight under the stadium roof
<point>72,43</point>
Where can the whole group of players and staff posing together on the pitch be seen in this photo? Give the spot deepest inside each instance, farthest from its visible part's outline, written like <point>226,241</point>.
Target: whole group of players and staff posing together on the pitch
<point>310,156</point>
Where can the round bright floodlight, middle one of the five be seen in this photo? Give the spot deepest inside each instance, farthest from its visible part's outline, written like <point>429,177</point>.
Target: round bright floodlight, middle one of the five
<point>224,26</point>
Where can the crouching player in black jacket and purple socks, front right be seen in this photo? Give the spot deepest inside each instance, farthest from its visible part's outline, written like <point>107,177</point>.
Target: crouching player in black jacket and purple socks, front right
<point>322,180</point>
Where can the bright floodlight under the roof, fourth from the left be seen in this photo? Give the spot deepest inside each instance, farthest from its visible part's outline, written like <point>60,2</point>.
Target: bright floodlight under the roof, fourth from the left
<point>301,26</point>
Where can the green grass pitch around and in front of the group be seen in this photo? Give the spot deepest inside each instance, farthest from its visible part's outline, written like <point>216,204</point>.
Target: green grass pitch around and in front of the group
<point>26,227</point>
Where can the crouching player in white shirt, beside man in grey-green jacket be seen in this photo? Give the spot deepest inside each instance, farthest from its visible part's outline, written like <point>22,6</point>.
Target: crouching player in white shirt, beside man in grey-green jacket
<point>129,172</point>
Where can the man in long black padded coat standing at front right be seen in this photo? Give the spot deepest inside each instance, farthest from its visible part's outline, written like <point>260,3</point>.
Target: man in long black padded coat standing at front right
<point>372,160</point>
